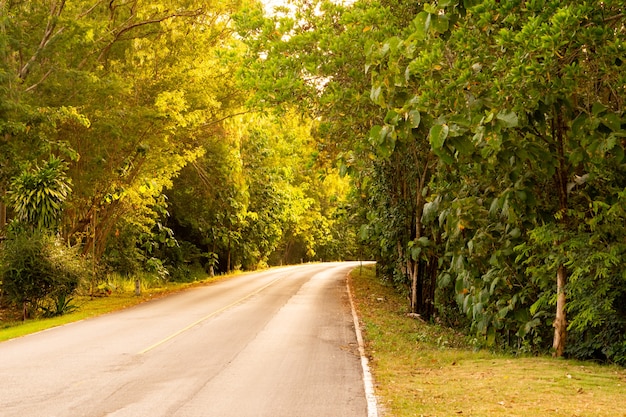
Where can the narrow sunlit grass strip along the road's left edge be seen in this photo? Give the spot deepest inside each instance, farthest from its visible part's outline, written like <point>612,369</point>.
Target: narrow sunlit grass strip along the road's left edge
<point>123,296</point>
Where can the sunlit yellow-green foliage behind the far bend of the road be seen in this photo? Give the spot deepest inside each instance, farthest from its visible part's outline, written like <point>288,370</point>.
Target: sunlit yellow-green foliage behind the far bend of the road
<point>263,201</point>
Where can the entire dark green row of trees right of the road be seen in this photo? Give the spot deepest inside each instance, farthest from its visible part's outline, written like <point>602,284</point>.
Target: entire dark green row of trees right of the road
<point>485,140</point>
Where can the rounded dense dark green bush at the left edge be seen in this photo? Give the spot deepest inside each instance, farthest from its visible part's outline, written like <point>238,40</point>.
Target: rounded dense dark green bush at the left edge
<point>39,271</point>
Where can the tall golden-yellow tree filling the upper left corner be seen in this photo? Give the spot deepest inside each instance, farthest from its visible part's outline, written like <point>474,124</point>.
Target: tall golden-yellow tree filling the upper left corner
<point>140,97</point>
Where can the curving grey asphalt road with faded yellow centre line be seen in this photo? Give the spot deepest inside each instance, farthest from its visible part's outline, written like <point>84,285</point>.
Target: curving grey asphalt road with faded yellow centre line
<point>276,343</point>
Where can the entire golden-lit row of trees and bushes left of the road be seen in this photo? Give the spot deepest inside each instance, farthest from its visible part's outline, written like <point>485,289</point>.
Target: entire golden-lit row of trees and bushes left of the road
<point>127,145</point>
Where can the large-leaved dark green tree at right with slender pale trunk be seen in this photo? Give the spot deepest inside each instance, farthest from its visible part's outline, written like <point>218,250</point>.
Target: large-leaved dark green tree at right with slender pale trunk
<point>525,100</point>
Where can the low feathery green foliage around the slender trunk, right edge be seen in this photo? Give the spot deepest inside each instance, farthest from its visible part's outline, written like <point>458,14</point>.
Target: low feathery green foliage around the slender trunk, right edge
<point>594,257</point>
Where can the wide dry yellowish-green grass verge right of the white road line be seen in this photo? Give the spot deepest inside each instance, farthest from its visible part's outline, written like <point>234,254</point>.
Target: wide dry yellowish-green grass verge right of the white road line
<point>427,370</point>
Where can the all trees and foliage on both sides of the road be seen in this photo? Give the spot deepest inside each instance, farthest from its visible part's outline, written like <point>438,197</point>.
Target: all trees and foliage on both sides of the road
<point>474,149</point>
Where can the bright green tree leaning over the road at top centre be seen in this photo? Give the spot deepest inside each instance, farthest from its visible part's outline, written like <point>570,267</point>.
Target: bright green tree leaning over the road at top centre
<point>313,59</point>
